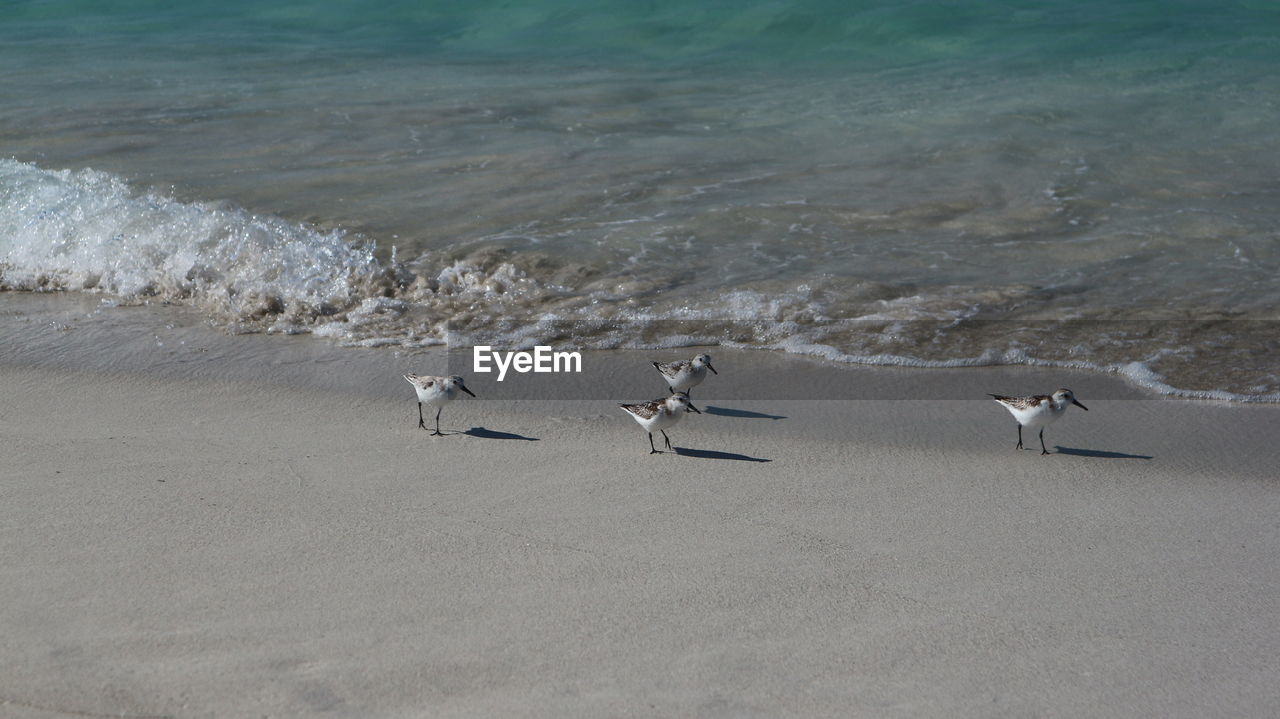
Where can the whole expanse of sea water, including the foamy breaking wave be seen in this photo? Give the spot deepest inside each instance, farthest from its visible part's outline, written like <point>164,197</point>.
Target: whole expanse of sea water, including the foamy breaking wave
<point>1089,185</point>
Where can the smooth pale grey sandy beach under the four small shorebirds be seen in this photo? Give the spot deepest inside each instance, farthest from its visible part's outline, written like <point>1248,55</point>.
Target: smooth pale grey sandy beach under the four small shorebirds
<point>182,547</point>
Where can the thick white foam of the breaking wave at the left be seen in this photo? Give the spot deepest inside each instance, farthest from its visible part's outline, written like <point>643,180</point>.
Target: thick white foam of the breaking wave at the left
<point>90,231</point>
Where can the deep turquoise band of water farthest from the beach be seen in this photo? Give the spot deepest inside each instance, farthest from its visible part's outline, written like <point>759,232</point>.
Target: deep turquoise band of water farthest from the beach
<point>853,35</point>
